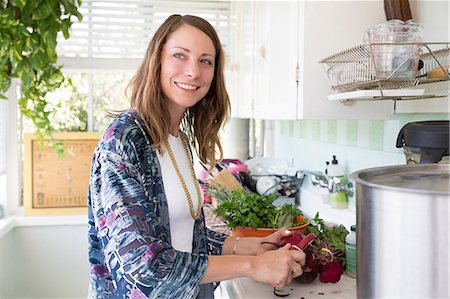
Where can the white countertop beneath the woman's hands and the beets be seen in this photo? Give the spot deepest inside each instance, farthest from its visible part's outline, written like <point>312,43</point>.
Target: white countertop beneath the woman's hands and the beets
<point>246,288</point>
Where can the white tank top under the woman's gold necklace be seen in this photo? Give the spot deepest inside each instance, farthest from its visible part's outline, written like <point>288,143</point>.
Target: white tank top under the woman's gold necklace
<point>181,222</point>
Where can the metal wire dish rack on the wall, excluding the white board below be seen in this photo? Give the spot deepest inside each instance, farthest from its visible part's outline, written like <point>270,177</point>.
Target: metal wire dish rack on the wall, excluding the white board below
<point>355,68</point>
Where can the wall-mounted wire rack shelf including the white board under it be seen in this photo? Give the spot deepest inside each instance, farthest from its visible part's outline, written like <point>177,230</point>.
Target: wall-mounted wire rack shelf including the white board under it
<point>354,73</point>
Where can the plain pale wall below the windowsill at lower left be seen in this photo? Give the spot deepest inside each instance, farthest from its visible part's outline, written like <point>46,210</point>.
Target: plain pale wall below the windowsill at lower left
<point>44,262</point>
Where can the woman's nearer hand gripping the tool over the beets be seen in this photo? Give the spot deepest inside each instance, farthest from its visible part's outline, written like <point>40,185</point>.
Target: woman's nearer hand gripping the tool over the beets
<point>278,267</point>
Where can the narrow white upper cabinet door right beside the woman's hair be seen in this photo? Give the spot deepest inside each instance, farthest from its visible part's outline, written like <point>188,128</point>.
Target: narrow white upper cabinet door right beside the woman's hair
<point>240,75</point>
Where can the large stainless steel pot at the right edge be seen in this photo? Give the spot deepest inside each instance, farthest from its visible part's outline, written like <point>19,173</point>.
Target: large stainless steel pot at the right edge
<point>403,231</point>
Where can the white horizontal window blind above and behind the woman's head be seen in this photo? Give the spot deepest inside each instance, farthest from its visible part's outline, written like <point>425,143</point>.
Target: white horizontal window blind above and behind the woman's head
<point>122,29</point>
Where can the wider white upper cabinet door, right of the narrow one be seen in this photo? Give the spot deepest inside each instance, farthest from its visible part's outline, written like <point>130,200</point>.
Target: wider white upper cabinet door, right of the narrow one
<point>276,42</point>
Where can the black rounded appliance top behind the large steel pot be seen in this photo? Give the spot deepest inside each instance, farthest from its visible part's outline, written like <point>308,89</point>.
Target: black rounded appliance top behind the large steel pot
<point>425,134</point>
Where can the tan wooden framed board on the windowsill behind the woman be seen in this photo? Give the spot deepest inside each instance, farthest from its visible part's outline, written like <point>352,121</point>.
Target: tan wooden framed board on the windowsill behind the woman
<point>58,186</point>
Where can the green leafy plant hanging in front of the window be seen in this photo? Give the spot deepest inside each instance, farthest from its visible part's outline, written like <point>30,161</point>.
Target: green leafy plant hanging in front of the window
<point>28,39</point>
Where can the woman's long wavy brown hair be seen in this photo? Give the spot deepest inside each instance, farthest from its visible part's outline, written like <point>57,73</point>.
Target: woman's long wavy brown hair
<point>201,123</point>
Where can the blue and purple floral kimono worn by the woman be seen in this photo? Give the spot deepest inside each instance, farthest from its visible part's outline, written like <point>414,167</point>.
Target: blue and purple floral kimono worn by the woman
<point>130,250</point>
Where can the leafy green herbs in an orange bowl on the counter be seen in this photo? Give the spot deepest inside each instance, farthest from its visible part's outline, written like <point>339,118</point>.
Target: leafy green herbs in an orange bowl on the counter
<point>250,214</point>
